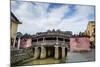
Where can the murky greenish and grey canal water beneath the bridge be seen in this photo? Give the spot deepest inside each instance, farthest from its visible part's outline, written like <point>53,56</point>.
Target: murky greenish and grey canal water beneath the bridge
<point>72,57</point>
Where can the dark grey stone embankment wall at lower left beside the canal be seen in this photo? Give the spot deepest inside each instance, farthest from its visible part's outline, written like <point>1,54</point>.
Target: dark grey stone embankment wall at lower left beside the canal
<point>20,55</point>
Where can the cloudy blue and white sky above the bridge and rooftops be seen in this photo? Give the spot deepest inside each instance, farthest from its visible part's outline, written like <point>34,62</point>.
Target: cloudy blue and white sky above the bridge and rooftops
<point>40,17</point>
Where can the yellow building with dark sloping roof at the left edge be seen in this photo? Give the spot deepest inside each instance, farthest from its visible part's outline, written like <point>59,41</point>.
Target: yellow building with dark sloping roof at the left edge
<point>13,28</point>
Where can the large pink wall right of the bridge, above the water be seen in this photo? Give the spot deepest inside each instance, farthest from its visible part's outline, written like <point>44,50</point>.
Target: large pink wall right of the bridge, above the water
<point>79,44</point>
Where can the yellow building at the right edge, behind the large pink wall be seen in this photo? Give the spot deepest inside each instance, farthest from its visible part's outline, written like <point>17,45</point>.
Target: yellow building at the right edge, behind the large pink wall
<point>90,31</point>
